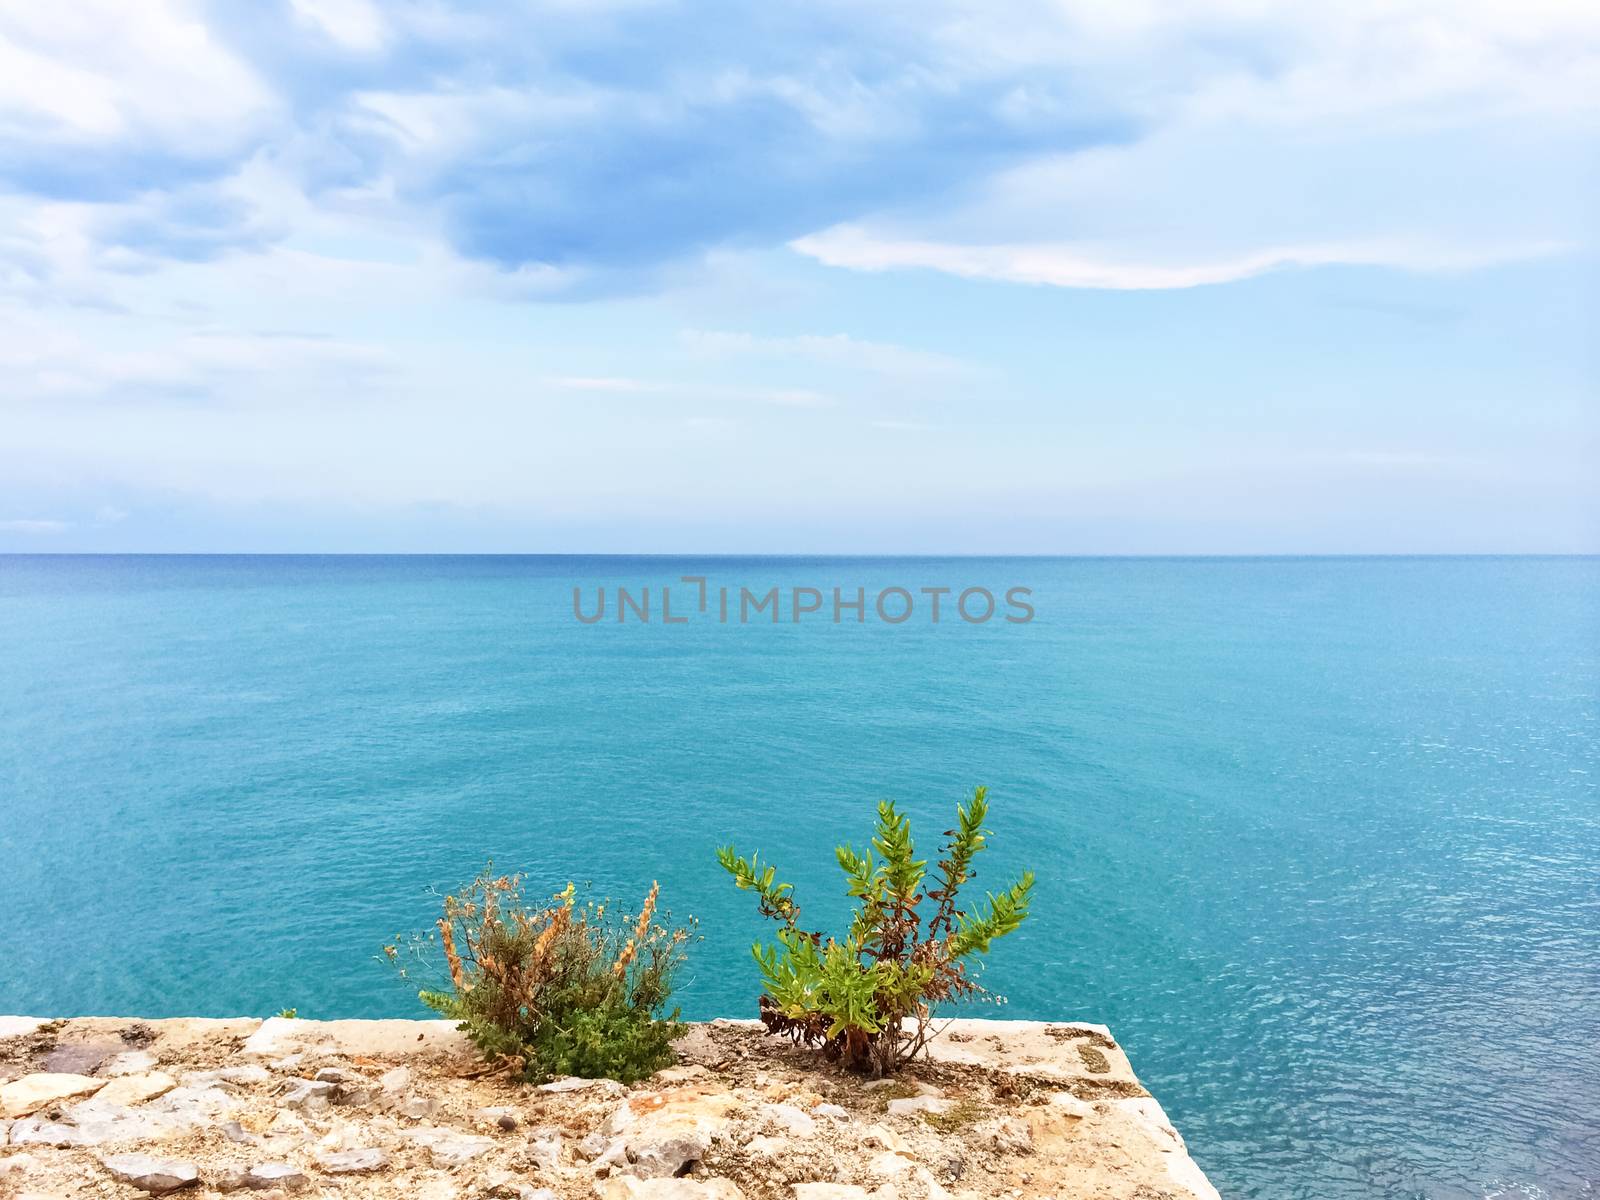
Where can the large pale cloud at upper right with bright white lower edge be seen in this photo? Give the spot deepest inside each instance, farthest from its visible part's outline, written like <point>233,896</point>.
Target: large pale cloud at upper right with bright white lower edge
<point>1415,135</point>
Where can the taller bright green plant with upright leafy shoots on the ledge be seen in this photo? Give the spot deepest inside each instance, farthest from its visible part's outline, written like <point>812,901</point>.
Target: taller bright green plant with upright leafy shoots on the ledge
<point>866,999</point>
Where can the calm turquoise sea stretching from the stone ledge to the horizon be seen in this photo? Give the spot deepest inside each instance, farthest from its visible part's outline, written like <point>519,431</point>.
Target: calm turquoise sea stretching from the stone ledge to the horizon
<point>1318,839</point>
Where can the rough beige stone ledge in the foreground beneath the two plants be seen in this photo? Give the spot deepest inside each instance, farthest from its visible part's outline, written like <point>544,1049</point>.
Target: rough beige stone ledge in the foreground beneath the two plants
<point>113,1108</point>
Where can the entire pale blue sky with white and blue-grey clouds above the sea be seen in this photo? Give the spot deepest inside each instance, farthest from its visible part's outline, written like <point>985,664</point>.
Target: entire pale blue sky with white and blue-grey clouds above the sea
<point>636,276</point>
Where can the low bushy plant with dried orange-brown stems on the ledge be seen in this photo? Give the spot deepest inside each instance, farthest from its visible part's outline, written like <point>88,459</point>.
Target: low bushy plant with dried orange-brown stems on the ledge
<point>558,990</point>
